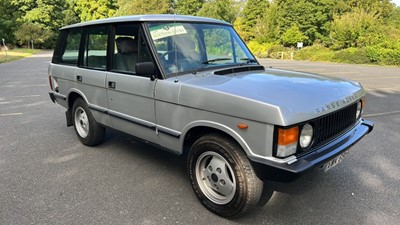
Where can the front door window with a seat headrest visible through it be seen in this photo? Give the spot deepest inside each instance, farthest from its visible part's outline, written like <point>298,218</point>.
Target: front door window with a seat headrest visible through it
<point>126,47</point>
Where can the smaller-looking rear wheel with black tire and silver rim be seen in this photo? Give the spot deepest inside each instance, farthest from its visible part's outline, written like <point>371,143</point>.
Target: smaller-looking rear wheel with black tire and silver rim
<point>89,132</point>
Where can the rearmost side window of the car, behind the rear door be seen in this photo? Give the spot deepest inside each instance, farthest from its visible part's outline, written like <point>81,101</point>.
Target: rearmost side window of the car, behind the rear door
<point>71,47</point>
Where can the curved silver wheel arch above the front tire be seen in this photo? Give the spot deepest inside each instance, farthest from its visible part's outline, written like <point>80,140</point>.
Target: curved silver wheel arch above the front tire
<point>200,128</point>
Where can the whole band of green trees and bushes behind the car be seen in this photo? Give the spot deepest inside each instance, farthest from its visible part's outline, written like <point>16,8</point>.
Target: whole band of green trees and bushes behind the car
<point>354,31</point>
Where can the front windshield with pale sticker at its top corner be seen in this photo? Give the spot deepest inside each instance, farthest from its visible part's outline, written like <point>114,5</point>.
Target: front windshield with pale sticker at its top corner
<point>190,47</point>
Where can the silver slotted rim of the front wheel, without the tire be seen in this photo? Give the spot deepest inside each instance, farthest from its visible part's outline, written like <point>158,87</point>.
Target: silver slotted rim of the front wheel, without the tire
<point>215,178</point>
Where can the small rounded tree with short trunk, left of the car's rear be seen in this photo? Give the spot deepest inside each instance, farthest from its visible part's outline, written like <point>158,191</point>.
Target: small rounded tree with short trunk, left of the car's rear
<point>35,32</point>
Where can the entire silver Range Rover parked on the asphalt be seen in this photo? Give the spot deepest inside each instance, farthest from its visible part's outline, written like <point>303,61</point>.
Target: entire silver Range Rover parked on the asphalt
<point>191,86</point>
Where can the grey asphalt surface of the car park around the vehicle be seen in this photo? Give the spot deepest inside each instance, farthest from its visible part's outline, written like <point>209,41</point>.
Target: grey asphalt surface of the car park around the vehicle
<point>48,177</point>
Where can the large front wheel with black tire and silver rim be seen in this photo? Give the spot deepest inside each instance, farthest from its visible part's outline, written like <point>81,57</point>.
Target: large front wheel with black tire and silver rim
<point>222,176</point>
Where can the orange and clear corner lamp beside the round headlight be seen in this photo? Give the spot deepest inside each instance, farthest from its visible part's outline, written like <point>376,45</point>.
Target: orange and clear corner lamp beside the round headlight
<point>287,141</point>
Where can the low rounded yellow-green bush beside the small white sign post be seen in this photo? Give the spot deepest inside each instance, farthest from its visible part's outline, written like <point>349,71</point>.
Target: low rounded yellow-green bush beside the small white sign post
<point>316,52</point>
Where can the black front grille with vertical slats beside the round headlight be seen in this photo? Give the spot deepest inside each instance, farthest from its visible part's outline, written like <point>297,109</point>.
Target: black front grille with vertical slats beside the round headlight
<point>332,125</point>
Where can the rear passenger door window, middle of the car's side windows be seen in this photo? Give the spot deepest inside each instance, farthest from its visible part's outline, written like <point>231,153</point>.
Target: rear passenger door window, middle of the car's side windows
<point>95,51</point>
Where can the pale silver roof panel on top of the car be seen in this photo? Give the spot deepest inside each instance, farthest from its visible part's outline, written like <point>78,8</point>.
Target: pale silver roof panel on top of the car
<point>149,18</point>
